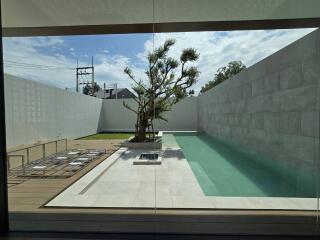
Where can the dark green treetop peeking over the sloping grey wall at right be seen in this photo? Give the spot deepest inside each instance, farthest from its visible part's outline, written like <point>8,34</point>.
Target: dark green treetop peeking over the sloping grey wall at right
<point>223,74</point>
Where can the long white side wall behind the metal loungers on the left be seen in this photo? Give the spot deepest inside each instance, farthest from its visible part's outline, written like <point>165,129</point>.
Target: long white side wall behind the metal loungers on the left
<point>36,112</point>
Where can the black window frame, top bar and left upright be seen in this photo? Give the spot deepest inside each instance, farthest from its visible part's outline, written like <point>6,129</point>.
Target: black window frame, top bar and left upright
<point>134,28</point>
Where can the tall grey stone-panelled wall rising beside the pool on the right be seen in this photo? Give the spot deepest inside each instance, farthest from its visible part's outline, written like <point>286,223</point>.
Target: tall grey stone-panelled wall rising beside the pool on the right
<point>271,110</point>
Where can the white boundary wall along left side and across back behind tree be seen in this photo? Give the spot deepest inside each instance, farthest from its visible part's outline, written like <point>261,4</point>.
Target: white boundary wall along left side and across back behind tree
<point>37,112</point>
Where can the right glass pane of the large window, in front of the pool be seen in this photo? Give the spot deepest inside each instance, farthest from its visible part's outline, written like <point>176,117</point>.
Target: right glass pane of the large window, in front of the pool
<point>248,138</point>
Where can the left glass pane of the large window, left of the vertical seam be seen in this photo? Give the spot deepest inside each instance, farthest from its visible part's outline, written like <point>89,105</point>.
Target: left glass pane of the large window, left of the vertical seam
<point>70,111</point>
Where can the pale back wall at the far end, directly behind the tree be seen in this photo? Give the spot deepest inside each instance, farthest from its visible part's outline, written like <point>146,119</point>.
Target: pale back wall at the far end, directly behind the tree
<point>115,117</point>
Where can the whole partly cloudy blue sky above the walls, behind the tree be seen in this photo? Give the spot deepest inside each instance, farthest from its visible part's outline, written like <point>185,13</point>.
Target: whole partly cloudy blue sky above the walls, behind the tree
<point>52,60</point>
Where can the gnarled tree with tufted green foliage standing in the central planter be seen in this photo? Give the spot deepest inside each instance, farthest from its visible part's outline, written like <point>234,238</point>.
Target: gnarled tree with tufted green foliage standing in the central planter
<point>168,81</point>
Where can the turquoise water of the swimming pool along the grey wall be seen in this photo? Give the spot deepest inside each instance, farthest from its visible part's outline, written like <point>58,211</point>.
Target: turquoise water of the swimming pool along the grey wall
<point>223,171</point>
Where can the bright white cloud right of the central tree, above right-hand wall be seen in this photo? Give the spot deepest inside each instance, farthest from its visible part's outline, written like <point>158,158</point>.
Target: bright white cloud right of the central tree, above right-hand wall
<point>218,48</point>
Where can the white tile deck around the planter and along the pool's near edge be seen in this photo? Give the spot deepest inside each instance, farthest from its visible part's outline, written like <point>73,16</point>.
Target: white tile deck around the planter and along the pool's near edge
<point>116,182</point>
